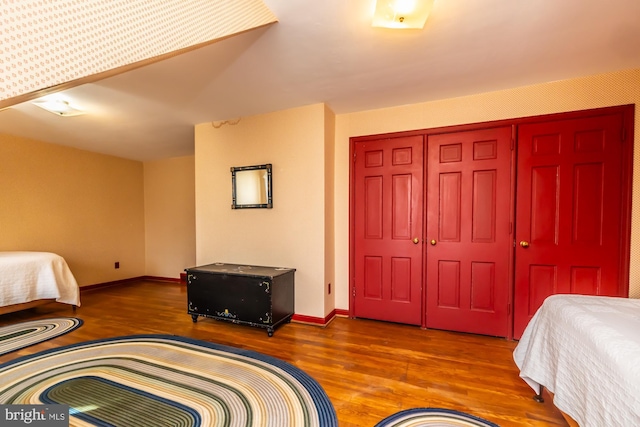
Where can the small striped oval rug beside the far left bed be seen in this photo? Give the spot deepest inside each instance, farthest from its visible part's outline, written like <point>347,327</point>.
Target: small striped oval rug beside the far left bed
<point>24,334</point>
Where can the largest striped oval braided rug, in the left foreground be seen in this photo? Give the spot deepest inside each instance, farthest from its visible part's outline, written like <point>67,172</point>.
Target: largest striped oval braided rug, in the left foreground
<point>163,380</point>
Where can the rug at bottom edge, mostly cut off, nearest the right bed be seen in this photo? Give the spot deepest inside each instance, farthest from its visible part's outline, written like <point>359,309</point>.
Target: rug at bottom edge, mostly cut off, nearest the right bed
<point>433,417</point>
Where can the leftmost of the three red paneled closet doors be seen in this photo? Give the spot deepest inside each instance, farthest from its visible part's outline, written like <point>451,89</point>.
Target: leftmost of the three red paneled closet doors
<point>388,217</point>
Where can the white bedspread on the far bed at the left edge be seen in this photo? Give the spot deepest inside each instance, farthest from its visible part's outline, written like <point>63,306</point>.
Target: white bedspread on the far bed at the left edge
<point>29,276</point>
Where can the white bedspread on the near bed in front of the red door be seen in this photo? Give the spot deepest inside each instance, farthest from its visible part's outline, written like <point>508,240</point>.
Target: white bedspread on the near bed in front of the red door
<point>586,350</point>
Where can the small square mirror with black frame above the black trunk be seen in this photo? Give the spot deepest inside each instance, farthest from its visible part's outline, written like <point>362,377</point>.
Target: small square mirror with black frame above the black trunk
<point>251,187</point>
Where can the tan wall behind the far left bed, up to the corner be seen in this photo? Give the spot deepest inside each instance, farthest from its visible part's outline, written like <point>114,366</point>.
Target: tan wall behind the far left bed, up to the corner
<point>84,206</point>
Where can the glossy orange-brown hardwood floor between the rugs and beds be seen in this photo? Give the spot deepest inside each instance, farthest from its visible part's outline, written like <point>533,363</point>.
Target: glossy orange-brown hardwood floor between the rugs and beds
<point>369,369</point>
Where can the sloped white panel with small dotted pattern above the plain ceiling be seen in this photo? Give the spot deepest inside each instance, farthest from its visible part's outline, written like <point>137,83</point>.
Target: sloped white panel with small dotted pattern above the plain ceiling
<point>45,43</point>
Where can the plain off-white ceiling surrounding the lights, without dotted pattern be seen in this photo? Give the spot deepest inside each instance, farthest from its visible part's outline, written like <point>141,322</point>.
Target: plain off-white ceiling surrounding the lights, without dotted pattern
<point>327,51</point>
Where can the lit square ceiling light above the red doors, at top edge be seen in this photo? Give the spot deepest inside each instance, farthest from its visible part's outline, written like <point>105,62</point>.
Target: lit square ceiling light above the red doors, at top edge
<point>401,13</point>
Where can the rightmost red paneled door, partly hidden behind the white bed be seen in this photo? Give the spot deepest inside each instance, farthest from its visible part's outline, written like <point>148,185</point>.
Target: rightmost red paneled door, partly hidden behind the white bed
<point>568,208</point>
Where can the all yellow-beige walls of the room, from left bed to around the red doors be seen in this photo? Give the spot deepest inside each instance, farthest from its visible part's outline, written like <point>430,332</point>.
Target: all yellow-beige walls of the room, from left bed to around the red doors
<point>95,209</point>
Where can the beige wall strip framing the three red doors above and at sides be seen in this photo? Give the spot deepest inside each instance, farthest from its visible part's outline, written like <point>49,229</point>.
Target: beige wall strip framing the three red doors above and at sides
<point>576,94</point>
